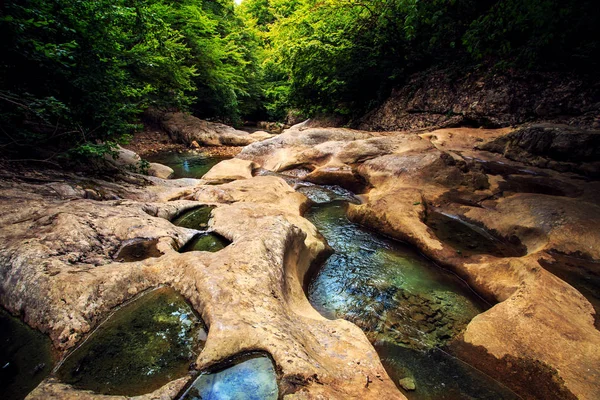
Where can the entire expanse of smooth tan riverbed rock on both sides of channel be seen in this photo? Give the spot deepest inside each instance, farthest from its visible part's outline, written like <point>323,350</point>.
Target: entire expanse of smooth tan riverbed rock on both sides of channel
<point>61,233</point>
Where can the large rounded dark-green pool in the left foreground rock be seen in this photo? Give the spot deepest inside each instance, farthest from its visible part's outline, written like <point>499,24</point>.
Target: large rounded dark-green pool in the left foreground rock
<point>141,347</point>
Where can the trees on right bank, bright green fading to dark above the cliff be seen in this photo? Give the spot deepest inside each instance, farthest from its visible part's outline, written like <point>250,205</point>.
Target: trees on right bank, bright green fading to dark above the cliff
<point>344,56</point>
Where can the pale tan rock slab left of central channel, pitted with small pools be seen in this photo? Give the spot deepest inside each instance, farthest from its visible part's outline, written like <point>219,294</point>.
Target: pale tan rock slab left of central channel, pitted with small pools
<point>64,249</point>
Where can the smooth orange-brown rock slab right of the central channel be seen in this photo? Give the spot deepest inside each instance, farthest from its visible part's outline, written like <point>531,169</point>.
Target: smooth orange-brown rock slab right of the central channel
<point>542,329</point>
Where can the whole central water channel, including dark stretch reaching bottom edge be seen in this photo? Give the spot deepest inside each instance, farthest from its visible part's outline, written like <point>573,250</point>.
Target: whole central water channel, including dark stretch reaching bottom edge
<point>408,307</point>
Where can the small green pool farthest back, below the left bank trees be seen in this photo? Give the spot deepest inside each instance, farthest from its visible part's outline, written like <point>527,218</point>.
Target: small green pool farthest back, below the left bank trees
<point>186,165</point>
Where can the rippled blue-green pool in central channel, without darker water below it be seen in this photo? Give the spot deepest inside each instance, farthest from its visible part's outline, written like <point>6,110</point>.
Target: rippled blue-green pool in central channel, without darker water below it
<point>385,287</point>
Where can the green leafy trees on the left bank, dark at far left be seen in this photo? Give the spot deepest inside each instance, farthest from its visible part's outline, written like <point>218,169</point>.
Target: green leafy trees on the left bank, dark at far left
<point>76,75</point>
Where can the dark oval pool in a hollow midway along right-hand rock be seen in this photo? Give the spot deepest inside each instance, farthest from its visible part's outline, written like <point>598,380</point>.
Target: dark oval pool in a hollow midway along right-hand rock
<point>469,239</point>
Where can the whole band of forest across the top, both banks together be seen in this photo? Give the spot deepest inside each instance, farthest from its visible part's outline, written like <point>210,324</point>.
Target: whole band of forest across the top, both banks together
<point>77,75</point>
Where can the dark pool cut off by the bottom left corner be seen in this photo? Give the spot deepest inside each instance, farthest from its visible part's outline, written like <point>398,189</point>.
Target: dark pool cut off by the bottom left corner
<point>25,357</point>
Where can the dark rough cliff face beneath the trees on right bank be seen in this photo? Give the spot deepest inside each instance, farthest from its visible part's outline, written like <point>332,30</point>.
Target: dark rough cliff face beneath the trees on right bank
<point>446,98</point>
